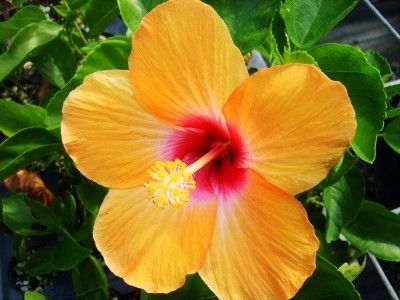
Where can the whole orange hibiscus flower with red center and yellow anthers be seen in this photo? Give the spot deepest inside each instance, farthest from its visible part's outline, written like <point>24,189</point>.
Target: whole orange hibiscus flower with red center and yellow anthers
<point>203,160</point>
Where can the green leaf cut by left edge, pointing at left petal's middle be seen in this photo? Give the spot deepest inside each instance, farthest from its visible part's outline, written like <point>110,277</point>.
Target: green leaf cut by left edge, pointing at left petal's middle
<point>14,117</point>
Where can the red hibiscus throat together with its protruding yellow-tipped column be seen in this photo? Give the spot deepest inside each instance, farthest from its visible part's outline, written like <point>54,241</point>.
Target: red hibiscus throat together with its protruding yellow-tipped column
<point>205,158</point>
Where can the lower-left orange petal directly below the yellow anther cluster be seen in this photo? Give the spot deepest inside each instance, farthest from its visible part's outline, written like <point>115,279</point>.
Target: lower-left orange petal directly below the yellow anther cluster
<point>152,248</point>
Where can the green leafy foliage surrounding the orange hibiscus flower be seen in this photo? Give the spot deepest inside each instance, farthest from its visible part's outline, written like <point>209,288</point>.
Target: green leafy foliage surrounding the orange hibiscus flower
<point>46,51</point>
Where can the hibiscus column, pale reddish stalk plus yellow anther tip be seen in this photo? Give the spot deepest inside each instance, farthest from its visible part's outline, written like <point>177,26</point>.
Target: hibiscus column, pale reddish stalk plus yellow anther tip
<point>172,181</point>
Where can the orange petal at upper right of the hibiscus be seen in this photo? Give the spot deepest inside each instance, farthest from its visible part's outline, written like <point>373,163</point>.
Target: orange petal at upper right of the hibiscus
<point>297,123</point>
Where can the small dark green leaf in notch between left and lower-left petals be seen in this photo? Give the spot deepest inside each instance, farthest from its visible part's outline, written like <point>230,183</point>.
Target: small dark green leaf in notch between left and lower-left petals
<point>91,195</point>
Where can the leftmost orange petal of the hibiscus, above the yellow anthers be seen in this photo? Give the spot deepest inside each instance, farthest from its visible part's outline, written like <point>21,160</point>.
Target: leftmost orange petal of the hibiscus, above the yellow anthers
<point>109,136</point>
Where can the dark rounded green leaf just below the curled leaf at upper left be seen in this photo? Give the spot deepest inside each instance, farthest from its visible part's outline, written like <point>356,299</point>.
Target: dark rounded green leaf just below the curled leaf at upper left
<point>57,63</point>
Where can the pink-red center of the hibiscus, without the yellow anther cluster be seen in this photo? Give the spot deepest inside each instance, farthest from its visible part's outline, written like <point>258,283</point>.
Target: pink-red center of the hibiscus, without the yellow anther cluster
<point>225,172</point>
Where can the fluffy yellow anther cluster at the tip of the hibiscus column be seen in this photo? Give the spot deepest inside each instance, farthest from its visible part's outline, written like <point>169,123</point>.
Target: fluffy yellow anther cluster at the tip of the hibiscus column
<point>171,183</point>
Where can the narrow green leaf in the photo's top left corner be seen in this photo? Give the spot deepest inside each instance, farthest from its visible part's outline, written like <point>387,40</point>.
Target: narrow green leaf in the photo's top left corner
<point>24,16</point>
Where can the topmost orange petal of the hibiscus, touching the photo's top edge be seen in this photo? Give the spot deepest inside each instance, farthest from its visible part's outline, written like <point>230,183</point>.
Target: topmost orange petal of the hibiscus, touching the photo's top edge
<point>184,61</point>
